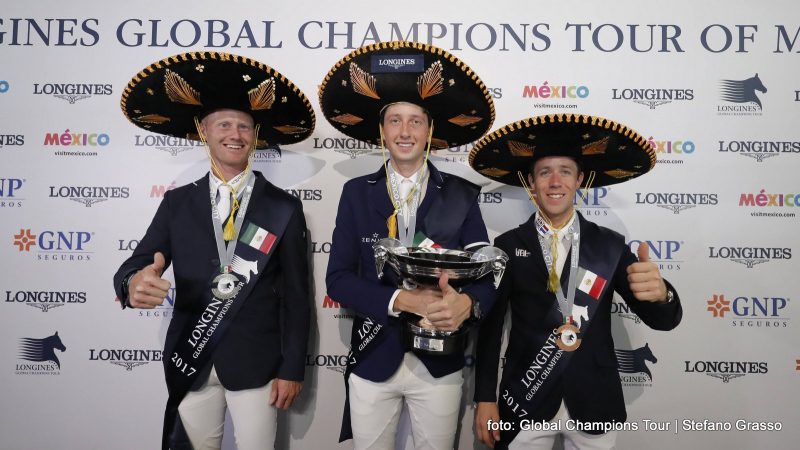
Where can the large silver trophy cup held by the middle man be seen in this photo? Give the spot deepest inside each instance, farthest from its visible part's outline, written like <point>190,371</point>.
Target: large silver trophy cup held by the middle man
<point>422,267</point>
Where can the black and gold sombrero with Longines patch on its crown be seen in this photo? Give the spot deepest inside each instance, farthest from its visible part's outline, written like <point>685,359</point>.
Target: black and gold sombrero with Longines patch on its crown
<point>362,83</point>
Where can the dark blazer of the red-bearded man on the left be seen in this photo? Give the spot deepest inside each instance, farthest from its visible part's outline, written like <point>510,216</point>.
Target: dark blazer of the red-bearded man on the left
<point>268,338</point>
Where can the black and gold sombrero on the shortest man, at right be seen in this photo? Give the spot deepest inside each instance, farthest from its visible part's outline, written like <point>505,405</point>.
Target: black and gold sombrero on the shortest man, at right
<point>613,152</point>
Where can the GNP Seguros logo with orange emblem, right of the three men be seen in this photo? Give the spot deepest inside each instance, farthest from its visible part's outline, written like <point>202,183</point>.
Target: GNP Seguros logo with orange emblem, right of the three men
<point>746,311</point>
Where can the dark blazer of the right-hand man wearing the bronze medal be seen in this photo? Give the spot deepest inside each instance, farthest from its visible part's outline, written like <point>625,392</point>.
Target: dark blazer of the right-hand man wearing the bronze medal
<point>590,385</point>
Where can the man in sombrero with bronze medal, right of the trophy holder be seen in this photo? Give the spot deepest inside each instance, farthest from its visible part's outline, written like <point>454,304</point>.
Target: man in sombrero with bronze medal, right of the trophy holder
<point>559,283</point>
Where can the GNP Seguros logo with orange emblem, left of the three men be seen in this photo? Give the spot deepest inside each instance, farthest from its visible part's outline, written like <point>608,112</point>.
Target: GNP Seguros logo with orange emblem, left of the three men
<point>50,245</point>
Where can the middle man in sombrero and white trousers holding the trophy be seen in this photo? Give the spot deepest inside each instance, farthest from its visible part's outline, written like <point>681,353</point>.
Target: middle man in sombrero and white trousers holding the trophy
<point>408,97</point>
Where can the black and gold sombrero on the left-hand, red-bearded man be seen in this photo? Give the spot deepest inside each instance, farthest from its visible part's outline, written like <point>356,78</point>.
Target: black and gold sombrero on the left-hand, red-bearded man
<point>166,96</point>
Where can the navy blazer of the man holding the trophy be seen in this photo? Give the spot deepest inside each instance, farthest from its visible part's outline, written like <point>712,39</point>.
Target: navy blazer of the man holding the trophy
<point>352,279</point>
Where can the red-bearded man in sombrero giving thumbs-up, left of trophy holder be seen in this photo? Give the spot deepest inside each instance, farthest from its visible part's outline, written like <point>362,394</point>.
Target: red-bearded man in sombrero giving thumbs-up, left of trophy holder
<point>237,244</point>
